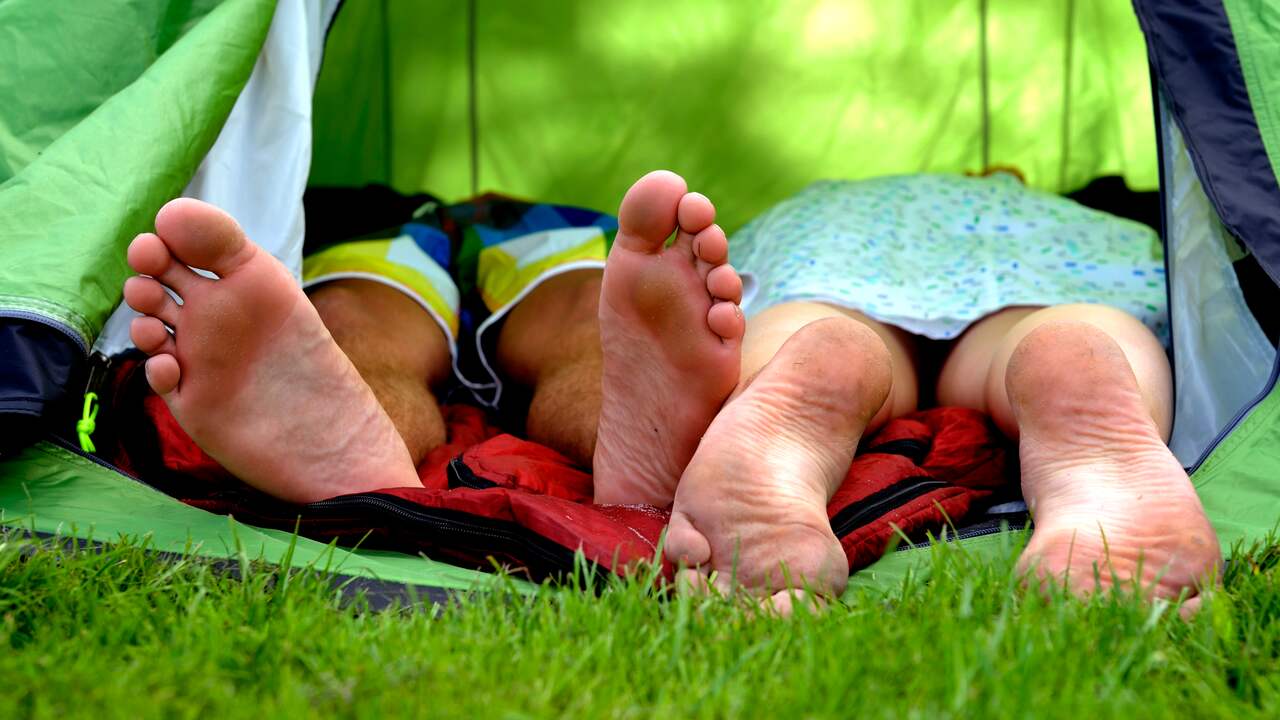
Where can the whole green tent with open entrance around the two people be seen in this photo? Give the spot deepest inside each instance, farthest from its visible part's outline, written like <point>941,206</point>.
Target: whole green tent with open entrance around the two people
<point>109,110</point>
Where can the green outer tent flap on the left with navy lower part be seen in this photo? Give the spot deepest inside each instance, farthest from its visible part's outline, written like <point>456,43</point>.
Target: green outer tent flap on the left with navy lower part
<point>102,120</point>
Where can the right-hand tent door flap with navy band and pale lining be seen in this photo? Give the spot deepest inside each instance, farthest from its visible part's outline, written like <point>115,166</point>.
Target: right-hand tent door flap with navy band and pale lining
<point>1210,62</point>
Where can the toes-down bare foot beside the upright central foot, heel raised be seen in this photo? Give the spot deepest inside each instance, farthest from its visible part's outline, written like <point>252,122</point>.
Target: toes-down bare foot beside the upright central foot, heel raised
<point>752,507</point>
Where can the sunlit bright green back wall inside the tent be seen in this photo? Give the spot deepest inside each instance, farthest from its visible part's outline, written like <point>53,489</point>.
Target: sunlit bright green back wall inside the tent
<point>569,103</point>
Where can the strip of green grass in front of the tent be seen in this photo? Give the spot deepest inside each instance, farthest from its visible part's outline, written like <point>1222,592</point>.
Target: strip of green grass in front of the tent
<point>120,634</point>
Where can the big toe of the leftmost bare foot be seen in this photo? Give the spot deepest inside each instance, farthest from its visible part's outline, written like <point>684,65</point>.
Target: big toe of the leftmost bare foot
<point>203,236</point>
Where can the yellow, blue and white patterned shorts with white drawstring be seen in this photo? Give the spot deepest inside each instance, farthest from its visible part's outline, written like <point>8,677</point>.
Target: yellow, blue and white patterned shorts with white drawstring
<point>467,265</point>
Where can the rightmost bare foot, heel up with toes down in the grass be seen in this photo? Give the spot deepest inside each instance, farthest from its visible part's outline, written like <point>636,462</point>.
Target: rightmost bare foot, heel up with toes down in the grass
<point>1110,502</point>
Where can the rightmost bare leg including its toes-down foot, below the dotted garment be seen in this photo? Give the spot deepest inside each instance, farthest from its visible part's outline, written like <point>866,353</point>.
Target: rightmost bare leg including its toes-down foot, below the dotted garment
<point>1087,390</point>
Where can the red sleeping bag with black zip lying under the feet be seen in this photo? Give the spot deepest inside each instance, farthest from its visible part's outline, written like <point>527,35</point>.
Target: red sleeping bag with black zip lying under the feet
<point>492,498</point>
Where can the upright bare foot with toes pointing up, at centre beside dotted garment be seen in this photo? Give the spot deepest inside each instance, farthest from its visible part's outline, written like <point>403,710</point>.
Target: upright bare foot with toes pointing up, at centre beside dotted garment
<point>671,332</point>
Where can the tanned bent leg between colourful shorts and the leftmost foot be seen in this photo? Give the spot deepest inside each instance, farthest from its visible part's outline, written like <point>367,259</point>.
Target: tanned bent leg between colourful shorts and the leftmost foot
<point>399,350</point>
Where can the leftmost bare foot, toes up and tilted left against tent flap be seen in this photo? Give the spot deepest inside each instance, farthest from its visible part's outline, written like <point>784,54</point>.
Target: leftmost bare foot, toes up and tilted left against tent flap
<point>250,371</point>
